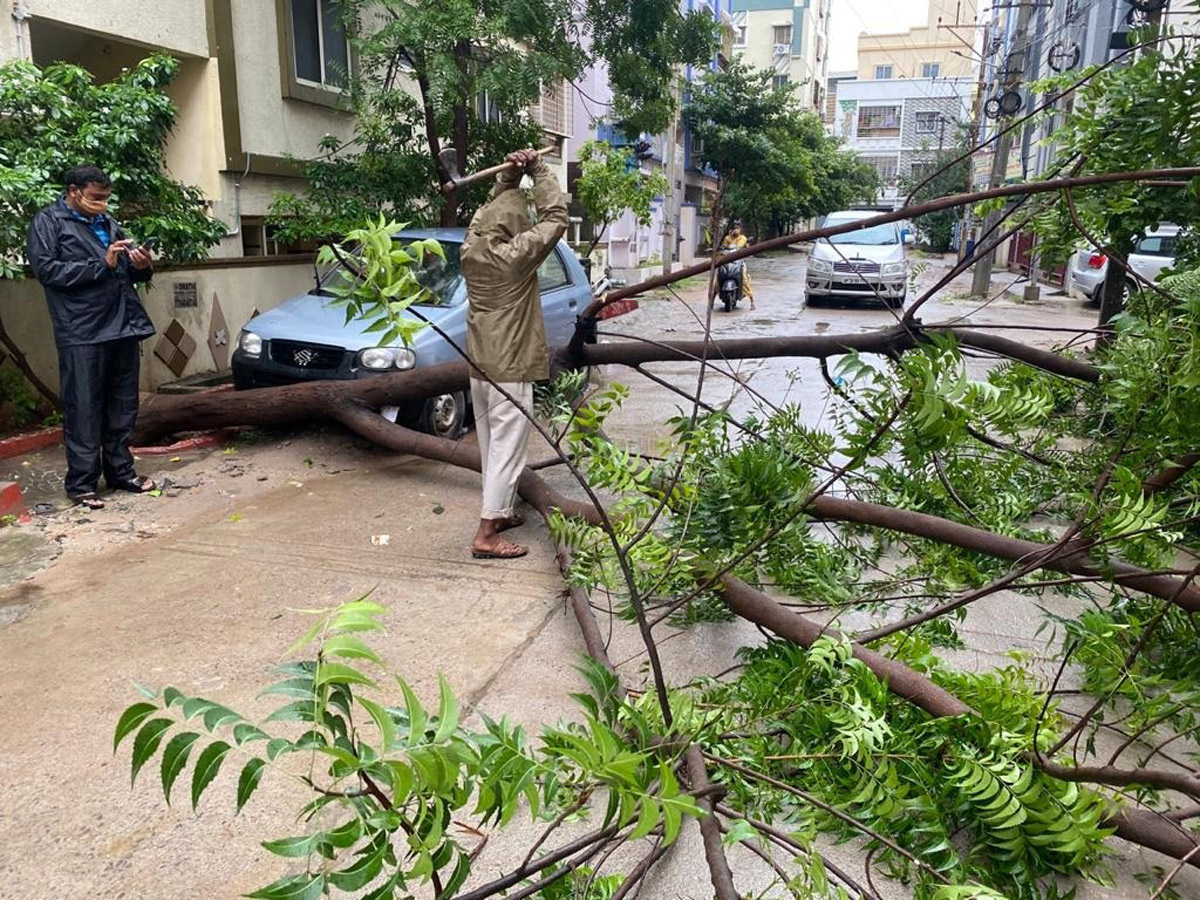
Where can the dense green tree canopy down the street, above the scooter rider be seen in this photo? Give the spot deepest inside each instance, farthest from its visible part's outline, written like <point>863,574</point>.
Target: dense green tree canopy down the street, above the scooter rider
<point>777,163</point>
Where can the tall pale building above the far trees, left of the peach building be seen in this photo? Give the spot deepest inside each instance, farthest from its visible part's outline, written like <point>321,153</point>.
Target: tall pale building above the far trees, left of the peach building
<point>788,38</point>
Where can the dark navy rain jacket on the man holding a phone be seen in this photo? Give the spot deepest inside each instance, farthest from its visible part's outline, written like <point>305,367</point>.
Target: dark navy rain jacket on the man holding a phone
<point>89,302</point>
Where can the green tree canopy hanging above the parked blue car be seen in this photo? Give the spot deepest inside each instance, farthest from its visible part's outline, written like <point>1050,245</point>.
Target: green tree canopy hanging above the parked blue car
<point>465,75</point>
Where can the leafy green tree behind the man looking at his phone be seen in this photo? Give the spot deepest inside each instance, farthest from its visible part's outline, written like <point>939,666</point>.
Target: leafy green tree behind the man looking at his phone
<point>57,118</point>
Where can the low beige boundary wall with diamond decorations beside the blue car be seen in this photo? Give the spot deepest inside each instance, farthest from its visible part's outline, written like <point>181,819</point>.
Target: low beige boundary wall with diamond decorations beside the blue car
<point>241,289</point>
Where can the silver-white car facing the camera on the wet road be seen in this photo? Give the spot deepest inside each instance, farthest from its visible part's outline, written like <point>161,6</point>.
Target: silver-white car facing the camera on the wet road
<point>867,265</point>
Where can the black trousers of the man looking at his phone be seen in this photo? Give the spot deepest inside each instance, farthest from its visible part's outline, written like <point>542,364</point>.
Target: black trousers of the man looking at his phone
<point>100,407</point>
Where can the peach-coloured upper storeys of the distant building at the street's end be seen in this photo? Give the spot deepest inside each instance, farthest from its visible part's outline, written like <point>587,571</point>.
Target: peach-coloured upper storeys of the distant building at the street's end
<point>905,52</point>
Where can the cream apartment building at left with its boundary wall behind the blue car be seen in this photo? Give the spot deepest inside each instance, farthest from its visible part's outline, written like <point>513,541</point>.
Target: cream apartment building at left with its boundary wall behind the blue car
<point>261,83</point>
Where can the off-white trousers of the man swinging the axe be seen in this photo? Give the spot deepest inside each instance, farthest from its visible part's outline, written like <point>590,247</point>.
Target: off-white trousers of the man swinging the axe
<point>503,434</point>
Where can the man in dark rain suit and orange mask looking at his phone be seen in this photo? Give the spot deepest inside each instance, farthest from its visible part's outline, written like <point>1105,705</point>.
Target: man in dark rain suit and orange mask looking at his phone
<point>88,269</point>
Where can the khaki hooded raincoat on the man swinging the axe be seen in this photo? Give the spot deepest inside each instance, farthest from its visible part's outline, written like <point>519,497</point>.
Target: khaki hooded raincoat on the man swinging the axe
<point>501,255</point>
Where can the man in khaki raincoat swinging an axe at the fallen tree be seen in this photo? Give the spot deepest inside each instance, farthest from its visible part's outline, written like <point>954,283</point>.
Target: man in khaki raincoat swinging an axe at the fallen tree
<point>506,334</point>
